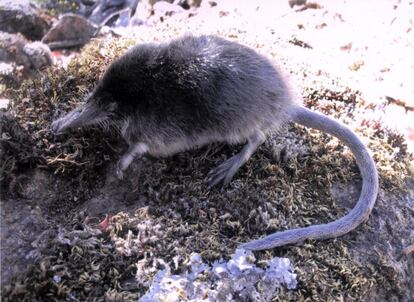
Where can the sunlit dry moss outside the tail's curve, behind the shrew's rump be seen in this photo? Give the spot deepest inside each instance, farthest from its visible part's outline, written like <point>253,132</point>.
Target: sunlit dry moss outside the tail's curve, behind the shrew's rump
<point>388,147</point>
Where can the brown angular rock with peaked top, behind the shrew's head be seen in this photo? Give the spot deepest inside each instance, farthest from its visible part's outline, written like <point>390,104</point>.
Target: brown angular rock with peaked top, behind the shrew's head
<point>70,31</point>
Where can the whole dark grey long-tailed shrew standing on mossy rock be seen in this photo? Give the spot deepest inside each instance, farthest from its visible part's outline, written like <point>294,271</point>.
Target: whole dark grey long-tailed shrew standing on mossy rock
<point>193,91</point>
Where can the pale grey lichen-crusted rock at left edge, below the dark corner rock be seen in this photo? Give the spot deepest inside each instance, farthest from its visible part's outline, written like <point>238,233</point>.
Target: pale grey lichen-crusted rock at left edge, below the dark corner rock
<point>15,49</point>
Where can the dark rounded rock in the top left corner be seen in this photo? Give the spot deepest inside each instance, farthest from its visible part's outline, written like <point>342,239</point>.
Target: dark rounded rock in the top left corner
<point>23,17</point>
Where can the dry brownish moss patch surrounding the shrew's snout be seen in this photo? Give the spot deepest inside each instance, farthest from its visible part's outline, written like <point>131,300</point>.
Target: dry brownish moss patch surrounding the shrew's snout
<point>39,101</point>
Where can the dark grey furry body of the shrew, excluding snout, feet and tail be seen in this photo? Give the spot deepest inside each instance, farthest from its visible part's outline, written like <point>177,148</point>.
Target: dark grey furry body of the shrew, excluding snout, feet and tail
<point>192,88</point>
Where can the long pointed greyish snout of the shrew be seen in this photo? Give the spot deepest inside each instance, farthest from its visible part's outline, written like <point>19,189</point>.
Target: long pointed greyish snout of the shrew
<point>84,115</point>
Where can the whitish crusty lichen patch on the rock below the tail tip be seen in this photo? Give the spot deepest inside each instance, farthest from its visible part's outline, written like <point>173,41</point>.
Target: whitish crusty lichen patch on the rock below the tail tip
<point>236,279</point>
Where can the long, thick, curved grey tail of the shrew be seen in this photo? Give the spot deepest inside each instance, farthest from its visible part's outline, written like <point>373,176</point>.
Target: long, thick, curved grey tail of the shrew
<point>366,199</point>
